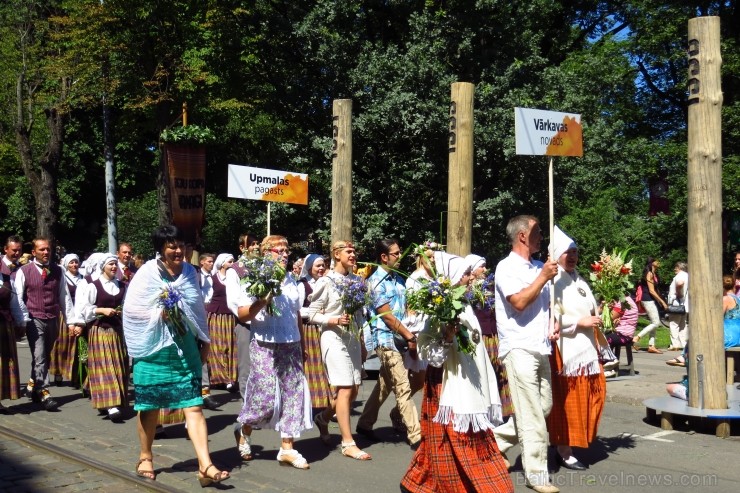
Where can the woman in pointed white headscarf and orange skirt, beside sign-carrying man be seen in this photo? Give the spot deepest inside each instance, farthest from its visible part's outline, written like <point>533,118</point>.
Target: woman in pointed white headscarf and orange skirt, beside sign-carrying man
<point>578,382</point>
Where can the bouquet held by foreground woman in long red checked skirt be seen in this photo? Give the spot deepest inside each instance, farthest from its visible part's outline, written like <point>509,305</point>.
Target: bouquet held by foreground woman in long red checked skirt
<point>443,303</point>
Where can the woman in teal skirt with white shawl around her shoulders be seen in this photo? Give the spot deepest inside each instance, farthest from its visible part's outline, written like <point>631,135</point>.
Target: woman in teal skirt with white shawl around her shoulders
<point>163,315</point>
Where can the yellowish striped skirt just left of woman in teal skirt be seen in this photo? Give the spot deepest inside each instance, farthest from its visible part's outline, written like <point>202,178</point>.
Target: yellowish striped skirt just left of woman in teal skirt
<point>107,367</point>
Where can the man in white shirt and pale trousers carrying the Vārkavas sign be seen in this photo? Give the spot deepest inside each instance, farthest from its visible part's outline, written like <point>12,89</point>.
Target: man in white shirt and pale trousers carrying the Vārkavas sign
<point>523,320</point>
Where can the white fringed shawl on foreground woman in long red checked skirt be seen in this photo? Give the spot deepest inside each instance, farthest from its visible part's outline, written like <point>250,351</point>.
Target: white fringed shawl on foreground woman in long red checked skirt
<point>470,397</point>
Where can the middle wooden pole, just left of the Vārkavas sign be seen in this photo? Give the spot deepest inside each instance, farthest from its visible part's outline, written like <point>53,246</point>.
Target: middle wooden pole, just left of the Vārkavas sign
<point>460,182</point>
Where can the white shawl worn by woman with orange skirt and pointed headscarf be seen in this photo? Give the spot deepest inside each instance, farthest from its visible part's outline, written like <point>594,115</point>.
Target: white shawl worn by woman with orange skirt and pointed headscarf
<point>573,301</point>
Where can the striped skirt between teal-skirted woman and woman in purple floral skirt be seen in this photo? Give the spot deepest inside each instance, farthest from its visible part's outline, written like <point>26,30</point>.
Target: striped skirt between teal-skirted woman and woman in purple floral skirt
<point>222,357</point>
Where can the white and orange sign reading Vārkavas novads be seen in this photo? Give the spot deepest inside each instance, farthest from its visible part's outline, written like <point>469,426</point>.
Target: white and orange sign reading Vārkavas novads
<point>547,133</point>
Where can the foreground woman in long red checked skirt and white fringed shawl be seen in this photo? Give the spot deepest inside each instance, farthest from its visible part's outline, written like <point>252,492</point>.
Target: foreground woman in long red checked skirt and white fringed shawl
<point>460,408</point>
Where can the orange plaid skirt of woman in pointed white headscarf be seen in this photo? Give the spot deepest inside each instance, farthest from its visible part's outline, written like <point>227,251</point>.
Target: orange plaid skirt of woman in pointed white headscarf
<point>577,404</point>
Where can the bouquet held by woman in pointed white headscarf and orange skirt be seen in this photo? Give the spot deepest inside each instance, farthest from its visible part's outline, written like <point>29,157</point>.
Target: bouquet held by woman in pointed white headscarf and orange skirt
<point>610,281</point>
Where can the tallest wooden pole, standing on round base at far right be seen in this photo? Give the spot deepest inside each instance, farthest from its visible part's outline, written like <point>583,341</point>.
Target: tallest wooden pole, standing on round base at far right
<point>707,387</point>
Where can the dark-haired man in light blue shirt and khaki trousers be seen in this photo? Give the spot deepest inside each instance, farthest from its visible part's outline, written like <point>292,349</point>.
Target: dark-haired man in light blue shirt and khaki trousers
<point>389,294</point>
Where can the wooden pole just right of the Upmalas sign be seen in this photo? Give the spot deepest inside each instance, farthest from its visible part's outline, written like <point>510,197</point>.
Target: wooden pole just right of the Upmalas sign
<point>341,182</point>
